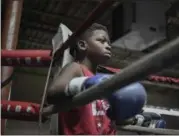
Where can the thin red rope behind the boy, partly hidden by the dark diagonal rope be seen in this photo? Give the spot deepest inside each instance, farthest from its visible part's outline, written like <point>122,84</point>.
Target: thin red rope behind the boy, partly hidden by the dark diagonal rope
<point>154,78</point>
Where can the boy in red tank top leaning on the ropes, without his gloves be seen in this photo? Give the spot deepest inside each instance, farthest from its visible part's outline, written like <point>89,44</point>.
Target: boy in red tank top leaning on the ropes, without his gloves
<point>92,48</point>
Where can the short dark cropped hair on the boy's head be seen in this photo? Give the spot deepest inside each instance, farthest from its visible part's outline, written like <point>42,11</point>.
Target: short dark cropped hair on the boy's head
<point>87,34</point>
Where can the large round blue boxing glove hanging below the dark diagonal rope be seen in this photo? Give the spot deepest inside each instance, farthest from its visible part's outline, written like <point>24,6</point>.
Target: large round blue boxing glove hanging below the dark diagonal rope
<point>126,103</point>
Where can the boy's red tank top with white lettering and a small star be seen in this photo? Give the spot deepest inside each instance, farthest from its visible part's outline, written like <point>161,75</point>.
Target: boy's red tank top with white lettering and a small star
<point>89,119</point>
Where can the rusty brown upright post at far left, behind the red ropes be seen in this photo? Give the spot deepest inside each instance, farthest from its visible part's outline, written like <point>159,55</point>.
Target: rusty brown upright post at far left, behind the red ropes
<point>10,30</point>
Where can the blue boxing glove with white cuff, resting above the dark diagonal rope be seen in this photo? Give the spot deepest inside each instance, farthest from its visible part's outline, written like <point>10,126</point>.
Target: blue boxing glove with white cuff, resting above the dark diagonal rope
<point>78,84</point>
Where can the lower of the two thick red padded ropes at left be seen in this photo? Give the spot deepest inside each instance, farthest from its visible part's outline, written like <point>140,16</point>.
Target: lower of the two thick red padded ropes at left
<point>17,110</point>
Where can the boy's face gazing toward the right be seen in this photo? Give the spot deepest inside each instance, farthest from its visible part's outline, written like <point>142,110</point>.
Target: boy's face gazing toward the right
<point>99,48</point>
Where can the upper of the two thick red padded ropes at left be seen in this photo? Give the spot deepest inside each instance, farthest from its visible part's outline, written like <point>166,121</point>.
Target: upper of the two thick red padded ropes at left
<point>30,58</point>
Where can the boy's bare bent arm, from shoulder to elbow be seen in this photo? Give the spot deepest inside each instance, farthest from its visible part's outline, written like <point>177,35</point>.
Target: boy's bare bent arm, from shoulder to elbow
<point>56,90</point>
